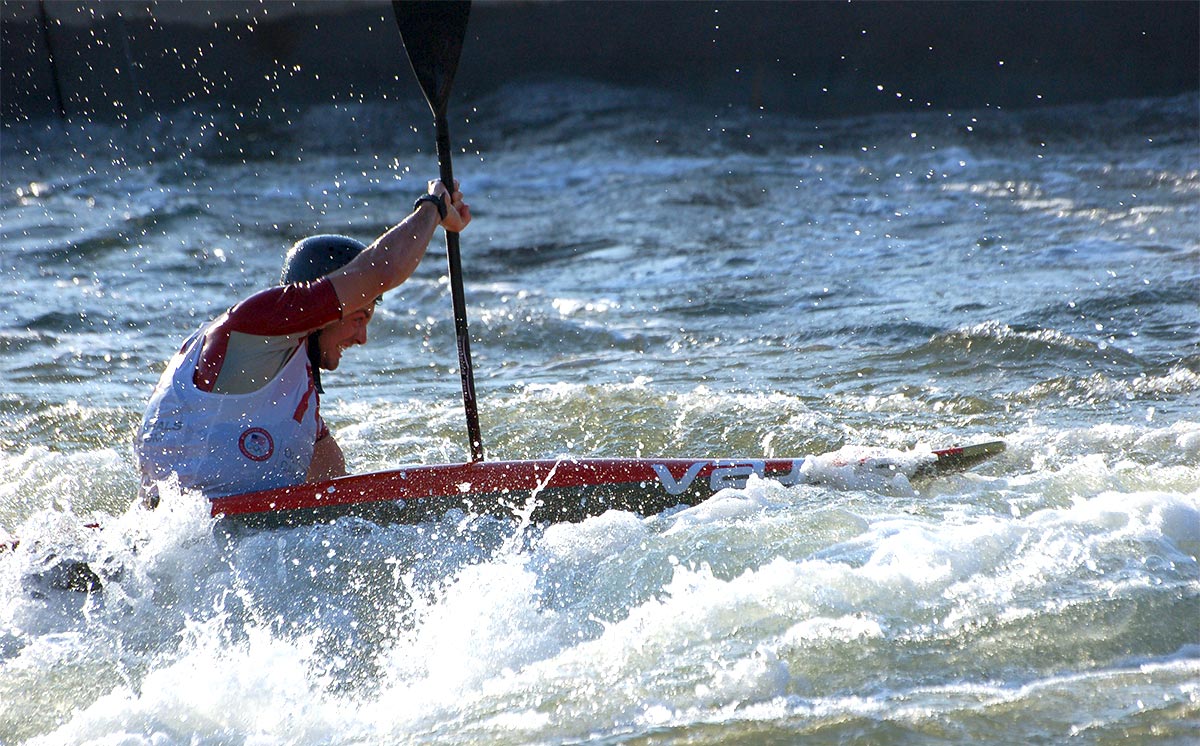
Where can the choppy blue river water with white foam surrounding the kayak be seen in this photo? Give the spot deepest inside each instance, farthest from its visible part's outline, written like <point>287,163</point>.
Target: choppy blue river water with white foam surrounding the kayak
<point>646,276</point>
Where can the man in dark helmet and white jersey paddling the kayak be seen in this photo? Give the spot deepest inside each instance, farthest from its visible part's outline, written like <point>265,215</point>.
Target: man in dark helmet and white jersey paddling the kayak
<point>238,407</point>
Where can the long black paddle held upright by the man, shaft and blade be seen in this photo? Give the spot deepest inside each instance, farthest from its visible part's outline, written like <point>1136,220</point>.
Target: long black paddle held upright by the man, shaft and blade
<point>433,32</point>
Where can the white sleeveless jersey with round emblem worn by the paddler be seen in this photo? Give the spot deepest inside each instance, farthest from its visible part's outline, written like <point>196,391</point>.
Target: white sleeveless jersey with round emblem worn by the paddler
<point>224,444</point>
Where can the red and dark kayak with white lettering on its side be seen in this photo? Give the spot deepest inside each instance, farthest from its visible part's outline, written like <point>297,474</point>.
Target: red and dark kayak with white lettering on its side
<point>549,491</point>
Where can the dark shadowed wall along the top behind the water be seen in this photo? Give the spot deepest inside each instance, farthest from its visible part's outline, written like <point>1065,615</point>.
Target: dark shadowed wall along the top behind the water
<point>122,61</point>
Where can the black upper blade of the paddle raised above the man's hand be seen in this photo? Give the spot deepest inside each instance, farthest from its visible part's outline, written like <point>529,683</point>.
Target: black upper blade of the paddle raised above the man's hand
<point>434,32</point>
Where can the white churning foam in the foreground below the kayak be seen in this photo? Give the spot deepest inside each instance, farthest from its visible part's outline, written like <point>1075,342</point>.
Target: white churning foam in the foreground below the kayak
<point>765,604</point>
